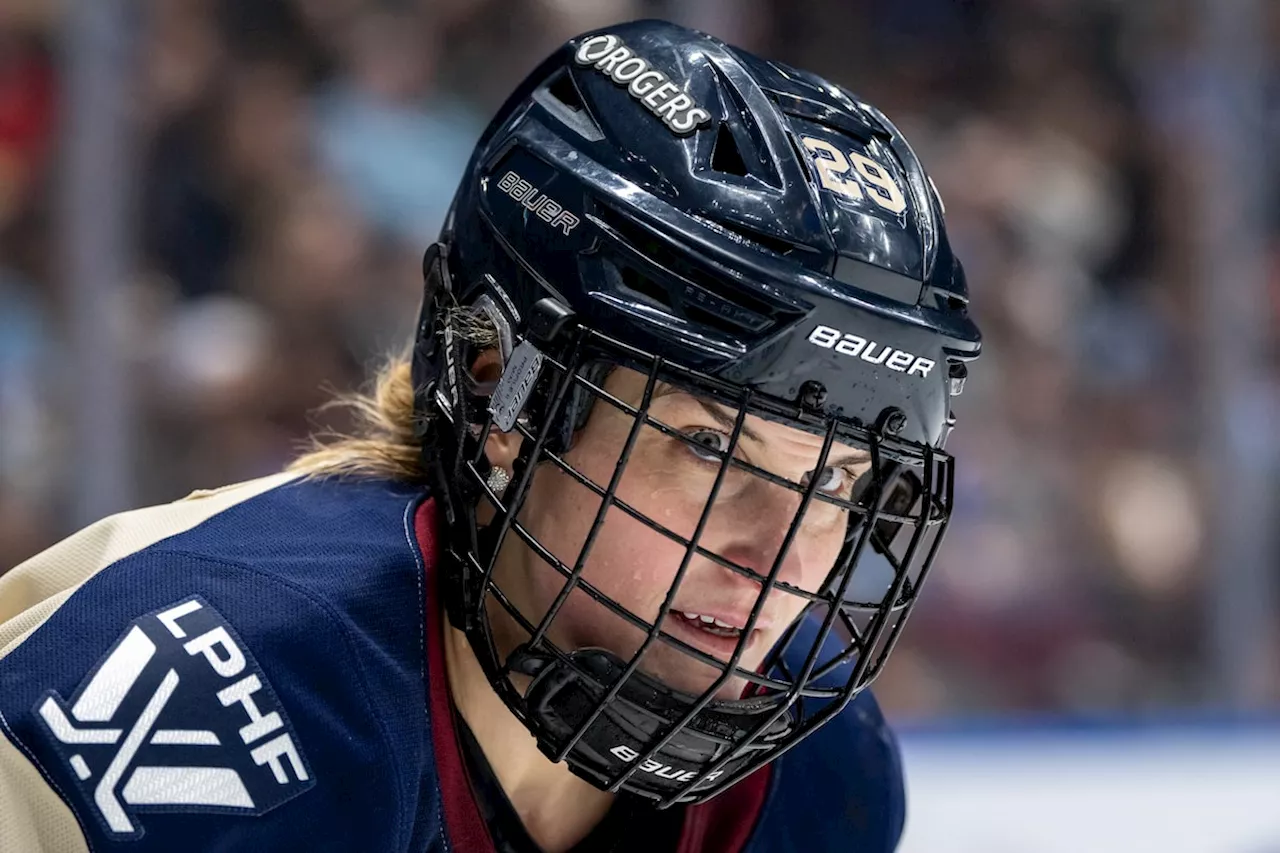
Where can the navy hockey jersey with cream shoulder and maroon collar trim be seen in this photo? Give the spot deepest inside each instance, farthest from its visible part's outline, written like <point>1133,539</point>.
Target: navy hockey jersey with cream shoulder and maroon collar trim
<point>260,669</point>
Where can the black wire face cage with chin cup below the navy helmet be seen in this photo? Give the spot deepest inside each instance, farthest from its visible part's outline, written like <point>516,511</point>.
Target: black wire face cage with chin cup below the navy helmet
<point>616,726</point>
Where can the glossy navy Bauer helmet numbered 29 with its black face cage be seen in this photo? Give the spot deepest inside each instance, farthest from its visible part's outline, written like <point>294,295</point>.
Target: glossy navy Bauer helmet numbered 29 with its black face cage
<point>655,199</point>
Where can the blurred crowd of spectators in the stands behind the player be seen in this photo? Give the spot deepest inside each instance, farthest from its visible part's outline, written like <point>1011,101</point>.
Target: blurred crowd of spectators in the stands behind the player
<point>289,161</point>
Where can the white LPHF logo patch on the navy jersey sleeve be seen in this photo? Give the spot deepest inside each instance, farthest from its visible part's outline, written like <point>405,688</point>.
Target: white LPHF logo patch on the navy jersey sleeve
<point>177,718</point>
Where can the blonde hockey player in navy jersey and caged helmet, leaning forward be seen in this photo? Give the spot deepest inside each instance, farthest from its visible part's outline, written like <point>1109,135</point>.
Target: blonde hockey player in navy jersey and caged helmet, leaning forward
<point>619,549</point>
